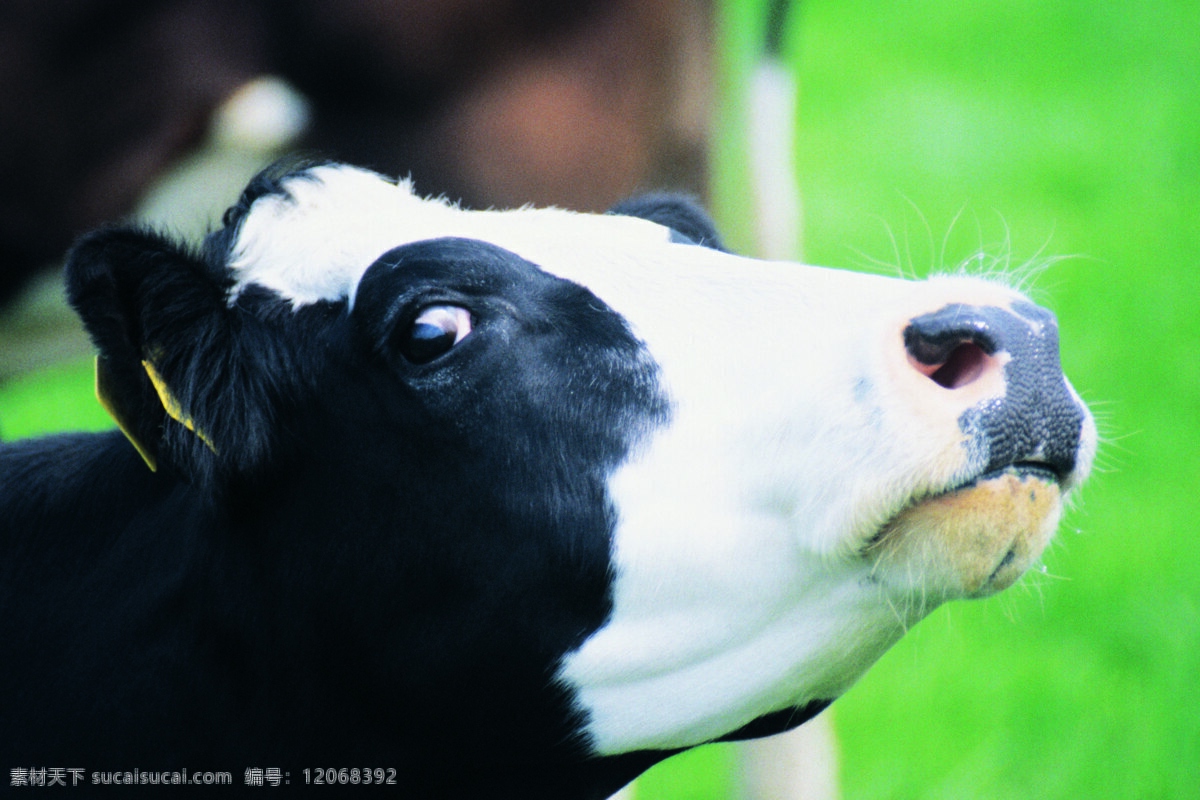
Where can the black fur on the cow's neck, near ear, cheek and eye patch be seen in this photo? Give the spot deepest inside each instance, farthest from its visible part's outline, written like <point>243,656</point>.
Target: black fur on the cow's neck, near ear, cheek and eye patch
<point>376,564</point>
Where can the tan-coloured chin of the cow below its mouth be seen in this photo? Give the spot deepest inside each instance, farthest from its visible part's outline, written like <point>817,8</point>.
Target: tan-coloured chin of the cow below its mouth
<point>973,542</point>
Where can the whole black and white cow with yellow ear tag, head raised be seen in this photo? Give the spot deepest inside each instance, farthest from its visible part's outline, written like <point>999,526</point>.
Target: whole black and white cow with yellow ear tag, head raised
<point>514,502</point>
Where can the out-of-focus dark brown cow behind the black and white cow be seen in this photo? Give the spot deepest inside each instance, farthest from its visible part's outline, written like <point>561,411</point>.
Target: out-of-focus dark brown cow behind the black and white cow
<point>494,103</point>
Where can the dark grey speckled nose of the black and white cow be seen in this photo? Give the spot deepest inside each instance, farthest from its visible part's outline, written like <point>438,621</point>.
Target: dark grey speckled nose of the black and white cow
<point>1037,420</point>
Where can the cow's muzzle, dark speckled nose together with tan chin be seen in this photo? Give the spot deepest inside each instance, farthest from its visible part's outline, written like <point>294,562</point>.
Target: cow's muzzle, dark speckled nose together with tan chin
<point>1024,431</point>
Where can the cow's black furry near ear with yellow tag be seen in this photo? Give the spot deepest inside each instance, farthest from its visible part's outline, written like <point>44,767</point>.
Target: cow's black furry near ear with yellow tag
<point>175,368</point>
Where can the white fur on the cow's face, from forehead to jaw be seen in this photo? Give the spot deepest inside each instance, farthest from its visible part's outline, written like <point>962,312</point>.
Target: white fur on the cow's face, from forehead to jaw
<point>799,430</point>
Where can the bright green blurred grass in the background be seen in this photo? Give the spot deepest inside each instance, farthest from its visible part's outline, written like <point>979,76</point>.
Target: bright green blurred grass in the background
<point>928,131</point>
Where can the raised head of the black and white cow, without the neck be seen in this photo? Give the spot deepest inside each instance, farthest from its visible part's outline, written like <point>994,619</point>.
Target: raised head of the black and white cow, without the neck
<point>691,495</point>
